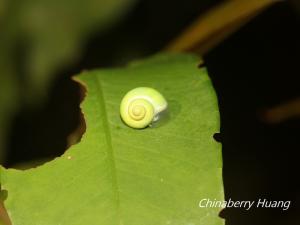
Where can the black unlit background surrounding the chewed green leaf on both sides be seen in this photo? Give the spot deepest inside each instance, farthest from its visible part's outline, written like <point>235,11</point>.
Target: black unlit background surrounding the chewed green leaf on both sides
<point>254,69</point>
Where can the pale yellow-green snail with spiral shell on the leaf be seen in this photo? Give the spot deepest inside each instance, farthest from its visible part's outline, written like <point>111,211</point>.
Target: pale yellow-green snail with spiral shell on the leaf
<point>142,106</point>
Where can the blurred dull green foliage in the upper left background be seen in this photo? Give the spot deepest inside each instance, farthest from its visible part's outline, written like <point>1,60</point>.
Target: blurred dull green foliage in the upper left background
<point>37,38</point>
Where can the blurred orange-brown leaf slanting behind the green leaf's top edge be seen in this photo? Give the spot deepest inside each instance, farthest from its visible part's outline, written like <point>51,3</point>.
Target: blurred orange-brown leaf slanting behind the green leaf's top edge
<point>217,24</point>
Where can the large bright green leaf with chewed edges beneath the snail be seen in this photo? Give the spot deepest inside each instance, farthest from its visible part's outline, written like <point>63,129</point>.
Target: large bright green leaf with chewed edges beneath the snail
<point>122,176</point>
